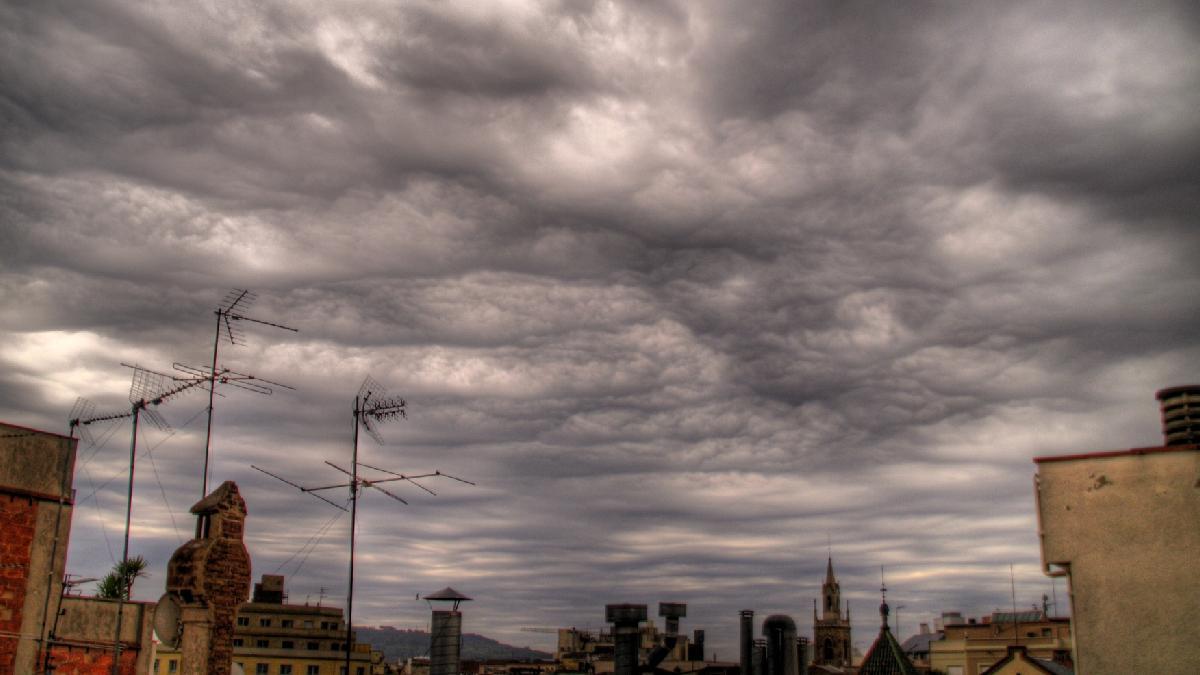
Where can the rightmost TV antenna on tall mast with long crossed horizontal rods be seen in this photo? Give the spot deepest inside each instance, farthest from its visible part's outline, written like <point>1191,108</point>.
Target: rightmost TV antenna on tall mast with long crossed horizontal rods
<point>373,407</point>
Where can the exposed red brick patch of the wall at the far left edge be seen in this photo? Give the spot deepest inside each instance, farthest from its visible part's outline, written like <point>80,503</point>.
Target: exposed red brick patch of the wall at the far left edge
<point>17,519</point>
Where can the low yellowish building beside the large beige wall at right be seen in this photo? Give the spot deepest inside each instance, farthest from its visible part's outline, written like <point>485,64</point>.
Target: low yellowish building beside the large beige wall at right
<point>974,647</point>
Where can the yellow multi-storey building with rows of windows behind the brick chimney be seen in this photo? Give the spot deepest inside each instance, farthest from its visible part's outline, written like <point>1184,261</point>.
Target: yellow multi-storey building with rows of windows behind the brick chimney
<point>275,638</point>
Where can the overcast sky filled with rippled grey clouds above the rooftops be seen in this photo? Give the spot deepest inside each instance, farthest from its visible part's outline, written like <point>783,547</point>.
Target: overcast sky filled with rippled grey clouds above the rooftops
<point>695,292</point>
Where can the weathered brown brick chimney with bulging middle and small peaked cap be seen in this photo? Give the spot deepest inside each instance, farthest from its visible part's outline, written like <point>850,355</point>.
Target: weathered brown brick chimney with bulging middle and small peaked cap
<point>211,577</point>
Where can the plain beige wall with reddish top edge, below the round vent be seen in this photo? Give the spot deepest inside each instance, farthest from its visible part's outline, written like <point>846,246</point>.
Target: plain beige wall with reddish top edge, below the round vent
<point>1126,527</point>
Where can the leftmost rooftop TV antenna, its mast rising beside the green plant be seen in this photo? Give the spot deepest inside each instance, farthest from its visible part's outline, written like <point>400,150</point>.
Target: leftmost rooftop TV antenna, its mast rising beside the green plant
<point>147,389</point>
